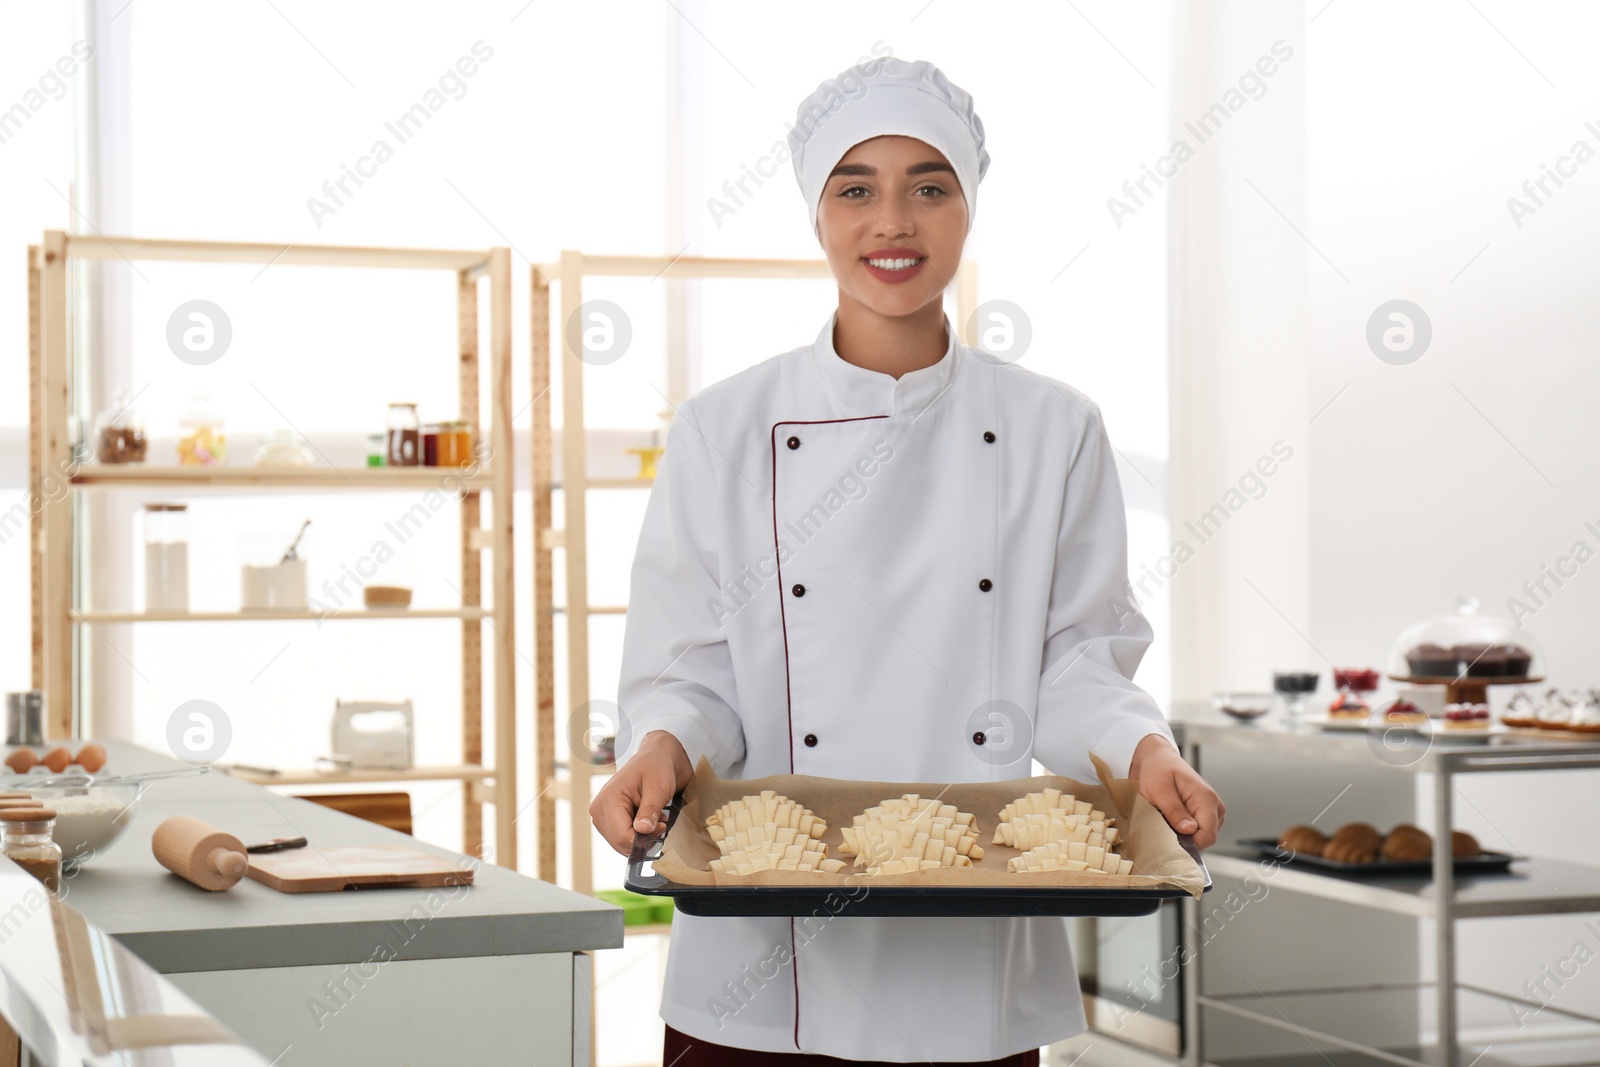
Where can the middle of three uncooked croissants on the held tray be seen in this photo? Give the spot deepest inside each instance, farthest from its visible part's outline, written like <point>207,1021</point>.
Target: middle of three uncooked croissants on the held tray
<point>908,834</point>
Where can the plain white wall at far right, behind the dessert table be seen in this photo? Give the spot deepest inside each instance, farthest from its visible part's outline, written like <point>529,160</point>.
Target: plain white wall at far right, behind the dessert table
<point>1473,468</point>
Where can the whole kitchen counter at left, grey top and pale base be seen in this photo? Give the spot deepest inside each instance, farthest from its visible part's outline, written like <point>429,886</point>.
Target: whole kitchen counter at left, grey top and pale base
<point>388,975</point>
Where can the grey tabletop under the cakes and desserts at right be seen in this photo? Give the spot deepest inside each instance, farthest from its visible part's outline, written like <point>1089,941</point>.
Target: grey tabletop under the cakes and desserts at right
<point>1377,746</point>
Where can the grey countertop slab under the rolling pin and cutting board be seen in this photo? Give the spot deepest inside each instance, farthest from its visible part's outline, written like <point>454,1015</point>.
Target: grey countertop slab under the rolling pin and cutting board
<point>177,927</point>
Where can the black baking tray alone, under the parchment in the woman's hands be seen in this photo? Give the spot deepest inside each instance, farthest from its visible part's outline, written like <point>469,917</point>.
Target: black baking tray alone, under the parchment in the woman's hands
<point>894,900</point>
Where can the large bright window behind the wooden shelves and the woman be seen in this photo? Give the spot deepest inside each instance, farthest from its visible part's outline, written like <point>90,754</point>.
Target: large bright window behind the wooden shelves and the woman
<point>476,127</point>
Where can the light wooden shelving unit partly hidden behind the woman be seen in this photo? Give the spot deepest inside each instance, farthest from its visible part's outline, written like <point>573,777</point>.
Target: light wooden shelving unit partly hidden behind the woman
<point>569,274</point>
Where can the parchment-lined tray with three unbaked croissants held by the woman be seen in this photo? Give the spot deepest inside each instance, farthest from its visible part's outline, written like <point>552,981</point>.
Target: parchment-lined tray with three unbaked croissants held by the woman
<point>790,844</point>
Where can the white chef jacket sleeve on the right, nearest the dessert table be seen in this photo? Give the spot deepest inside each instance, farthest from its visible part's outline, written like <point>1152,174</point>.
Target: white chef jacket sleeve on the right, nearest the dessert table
<point>1094,636</point>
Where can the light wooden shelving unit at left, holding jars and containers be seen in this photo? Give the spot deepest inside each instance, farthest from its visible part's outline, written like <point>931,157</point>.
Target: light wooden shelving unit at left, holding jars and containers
<point>58,481</point>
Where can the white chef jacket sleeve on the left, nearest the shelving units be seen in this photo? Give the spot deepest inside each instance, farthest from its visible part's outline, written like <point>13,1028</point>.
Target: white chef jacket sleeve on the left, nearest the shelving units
<point>678,674</point>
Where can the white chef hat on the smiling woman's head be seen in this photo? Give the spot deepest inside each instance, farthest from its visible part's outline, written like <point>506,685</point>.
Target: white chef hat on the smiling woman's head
<point>887,97</point>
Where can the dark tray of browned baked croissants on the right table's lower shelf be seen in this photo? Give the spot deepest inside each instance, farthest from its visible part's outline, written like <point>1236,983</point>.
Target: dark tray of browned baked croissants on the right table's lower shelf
<point>1361,849</point>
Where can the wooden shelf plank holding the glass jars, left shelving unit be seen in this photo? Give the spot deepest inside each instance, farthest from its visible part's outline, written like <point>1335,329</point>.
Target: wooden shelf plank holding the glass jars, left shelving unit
<point>281,478</point>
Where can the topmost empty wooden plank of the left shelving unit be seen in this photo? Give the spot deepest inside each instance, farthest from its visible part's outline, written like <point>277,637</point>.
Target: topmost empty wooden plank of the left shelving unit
<point>102,247</point>
